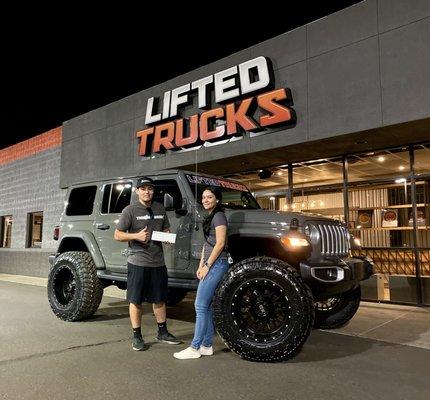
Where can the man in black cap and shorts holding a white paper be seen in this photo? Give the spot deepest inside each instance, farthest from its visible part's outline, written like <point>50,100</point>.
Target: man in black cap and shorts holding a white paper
<point>146,270</point>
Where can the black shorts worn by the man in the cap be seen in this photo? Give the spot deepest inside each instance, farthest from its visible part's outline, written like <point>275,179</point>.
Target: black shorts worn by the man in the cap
<point>146,284</point>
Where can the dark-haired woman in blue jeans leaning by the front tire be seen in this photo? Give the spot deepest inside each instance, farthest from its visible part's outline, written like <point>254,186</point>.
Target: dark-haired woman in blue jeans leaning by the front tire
<point>213,265</point>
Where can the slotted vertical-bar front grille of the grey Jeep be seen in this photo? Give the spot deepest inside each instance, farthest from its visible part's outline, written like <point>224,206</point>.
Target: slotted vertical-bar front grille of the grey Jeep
<point>334,239</point>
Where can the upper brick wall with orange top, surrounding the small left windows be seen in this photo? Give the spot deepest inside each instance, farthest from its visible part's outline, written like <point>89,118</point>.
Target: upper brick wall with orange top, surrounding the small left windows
<point>29,182</point>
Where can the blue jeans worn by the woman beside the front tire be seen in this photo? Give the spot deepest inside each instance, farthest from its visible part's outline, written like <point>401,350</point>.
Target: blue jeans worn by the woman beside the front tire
<point>204,330</point>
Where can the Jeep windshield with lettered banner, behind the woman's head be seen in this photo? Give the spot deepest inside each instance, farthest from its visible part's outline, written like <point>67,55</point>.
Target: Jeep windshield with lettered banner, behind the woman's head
<point>234,195</point>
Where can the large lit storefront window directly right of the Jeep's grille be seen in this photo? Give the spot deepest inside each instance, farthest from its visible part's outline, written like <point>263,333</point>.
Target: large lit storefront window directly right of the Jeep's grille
<point>381,216</point>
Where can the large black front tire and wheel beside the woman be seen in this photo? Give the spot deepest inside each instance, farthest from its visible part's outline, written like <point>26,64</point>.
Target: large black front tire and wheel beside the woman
<point>262,310</point>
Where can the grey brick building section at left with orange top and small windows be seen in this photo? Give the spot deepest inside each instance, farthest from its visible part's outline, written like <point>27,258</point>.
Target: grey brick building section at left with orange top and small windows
<point>31,202</point>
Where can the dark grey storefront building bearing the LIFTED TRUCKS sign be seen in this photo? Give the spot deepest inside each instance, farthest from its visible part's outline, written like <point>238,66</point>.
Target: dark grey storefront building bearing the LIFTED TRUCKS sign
<point>334,116</point>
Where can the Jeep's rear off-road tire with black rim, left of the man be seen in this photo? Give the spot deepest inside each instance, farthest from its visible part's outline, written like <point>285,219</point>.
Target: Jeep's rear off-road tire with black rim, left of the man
<point>74,291</point>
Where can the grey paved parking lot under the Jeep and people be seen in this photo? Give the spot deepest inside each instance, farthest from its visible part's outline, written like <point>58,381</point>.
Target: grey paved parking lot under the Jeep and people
<point>384,353</point>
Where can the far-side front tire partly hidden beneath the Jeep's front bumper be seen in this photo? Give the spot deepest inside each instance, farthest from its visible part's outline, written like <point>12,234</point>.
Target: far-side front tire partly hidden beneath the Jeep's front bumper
<point>337,311</point>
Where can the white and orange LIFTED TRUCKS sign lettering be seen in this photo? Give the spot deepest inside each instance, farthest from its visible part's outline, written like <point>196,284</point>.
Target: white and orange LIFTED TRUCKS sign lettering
<point>167,130</point>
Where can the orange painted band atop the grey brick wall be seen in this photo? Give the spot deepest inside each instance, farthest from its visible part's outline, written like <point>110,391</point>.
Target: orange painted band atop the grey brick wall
<point>29,147</point>
